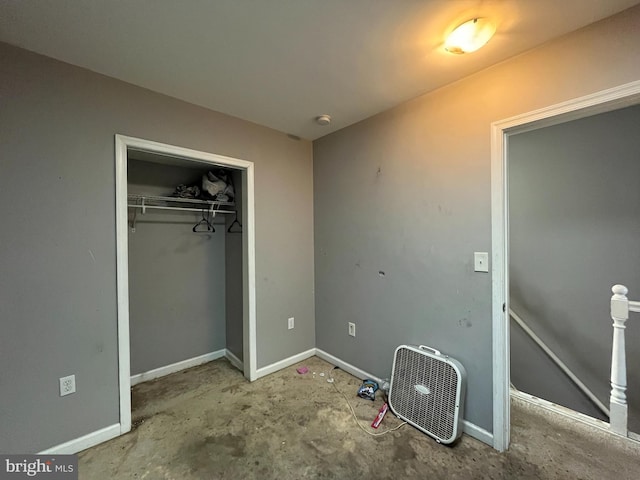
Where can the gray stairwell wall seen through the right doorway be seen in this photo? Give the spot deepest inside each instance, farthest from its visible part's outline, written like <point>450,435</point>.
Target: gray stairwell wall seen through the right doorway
<point>574,209</point>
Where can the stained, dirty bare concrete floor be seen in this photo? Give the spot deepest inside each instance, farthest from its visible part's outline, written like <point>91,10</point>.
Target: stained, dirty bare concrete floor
<point>210,423</point>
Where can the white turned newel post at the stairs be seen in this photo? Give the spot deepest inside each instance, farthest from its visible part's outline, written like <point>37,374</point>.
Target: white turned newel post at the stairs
<point>618,399</point>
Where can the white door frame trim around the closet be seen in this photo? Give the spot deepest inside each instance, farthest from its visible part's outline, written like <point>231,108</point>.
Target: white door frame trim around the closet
<point>123,143</point>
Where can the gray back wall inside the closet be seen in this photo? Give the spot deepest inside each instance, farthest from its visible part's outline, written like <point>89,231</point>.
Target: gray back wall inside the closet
<point>177,277</point>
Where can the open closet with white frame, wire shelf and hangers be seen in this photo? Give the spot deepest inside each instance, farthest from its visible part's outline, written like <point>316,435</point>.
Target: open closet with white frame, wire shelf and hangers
<point>185,262</point>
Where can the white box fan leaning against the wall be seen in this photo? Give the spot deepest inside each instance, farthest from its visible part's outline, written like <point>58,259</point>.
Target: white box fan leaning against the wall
<point>427,391</point>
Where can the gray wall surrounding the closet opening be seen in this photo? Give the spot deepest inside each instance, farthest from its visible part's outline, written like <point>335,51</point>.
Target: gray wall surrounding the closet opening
<point>58,245</point>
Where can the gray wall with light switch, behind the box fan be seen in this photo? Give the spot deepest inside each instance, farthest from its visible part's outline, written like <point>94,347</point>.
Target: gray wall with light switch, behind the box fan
<point>408,192</point>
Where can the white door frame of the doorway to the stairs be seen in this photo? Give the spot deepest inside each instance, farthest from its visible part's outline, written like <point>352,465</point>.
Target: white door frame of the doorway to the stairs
<point>600,102</point>
